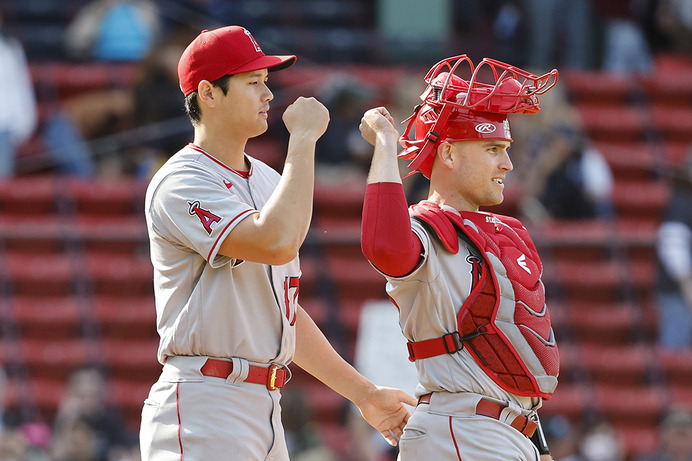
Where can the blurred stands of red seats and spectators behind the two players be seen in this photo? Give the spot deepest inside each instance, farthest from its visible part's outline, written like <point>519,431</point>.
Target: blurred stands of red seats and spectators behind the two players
<point>602,179</point>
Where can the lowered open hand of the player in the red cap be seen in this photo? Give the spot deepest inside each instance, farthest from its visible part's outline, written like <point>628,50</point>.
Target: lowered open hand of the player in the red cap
<point>384,410</point>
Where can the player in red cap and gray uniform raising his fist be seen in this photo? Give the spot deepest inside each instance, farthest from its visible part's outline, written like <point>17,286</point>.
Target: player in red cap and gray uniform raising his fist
<point>224,232</point>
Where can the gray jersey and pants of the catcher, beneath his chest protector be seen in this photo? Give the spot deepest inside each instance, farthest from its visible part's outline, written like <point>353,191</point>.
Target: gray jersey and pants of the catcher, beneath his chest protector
<point>429,299</point>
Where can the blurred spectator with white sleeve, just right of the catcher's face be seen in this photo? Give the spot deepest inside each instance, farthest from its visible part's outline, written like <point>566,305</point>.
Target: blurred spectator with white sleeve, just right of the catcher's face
<point>557,173</point>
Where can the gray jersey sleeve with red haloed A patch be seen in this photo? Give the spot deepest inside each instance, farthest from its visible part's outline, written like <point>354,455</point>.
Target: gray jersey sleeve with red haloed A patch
<point>194,210</point>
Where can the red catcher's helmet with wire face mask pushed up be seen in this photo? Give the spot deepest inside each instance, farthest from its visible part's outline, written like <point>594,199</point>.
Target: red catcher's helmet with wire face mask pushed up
<point>457,109</point>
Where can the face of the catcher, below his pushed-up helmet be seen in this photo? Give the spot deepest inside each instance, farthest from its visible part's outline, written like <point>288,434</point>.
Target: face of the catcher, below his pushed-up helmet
<point>480,169</point>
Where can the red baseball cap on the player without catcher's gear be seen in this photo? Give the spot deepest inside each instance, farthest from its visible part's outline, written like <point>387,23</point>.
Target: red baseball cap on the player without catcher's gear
<point>224,51</point>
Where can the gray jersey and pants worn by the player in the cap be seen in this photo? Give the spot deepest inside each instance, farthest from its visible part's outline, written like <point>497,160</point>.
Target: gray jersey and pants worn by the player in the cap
<point>211,305</point>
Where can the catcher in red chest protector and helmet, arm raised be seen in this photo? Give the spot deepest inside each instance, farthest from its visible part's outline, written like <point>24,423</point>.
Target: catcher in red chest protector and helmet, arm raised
<point>466,283</point>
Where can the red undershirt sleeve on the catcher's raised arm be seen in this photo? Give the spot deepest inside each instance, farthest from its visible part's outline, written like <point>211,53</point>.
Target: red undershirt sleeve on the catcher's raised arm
<point>387,240</point>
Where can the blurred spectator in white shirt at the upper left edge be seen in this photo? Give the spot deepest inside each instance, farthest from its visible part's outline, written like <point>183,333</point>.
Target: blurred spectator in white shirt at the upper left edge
<point>18,113</point>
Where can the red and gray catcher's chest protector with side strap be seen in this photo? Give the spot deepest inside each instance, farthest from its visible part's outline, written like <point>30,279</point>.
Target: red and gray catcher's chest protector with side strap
<point>504,323</point>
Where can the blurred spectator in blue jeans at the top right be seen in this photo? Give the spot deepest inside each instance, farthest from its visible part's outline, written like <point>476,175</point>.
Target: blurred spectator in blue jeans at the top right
<point>625,45</point>
